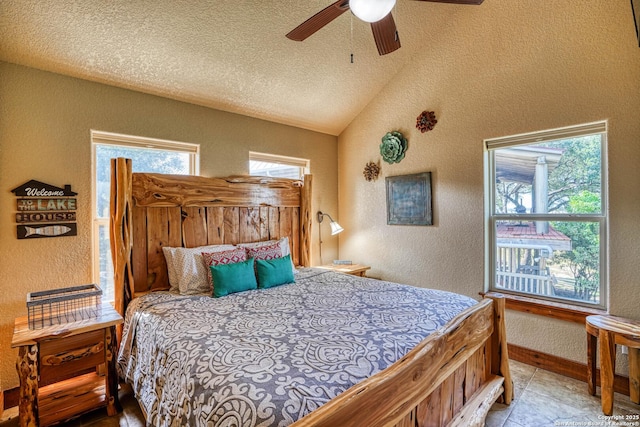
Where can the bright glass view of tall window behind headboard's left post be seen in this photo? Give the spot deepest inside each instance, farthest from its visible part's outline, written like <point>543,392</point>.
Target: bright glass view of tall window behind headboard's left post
<point>143,160</point>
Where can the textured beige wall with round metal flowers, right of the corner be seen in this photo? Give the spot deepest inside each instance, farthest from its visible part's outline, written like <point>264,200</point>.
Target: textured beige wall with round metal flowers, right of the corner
<point>504,68</point>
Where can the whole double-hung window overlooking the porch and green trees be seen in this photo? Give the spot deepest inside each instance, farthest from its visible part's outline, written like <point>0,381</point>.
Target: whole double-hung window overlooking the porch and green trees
<point>546,214</point>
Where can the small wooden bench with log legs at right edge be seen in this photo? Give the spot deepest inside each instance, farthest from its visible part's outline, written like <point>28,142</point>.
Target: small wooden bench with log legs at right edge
<point>611,330</point>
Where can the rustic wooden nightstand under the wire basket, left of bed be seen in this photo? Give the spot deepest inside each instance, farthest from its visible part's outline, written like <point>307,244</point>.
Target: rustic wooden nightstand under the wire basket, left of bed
<point>67,369</point>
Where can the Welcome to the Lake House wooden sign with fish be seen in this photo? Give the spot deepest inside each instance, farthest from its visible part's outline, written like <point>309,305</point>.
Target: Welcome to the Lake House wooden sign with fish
<point>45,210</point>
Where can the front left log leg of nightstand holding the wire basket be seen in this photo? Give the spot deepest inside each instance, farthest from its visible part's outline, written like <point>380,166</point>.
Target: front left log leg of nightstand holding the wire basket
<point>27,366</point>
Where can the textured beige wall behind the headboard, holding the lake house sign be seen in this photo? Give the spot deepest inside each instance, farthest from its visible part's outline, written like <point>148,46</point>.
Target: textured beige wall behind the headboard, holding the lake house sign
<point>45,120</point>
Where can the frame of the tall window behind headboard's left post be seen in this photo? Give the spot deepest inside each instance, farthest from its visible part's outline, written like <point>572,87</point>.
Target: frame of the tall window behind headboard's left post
<point>109,138</point>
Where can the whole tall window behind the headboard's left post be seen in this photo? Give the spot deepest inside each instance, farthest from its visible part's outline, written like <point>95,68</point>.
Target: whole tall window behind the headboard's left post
<point>147,155</point>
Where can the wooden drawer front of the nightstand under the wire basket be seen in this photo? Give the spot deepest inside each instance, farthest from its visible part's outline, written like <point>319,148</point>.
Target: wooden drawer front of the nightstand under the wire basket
<point>63,358</point>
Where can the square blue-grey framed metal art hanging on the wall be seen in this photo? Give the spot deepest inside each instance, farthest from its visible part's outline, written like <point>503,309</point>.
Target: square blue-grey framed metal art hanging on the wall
<point>409,199</point>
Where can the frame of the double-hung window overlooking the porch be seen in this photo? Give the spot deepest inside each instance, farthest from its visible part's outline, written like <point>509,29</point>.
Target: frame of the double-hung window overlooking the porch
<point>601,218</point>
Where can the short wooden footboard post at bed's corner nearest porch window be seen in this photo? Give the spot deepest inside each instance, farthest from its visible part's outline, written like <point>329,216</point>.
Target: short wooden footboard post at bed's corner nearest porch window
<point>499,352</point>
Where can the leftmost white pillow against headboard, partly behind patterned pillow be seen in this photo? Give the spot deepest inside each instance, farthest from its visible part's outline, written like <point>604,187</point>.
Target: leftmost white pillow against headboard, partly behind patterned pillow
<point>186,270</point>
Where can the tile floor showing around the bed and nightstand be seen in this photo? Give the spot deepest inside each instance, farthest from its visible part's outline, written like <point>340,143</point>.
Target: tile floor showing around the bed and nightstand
<point>541,399</point>
